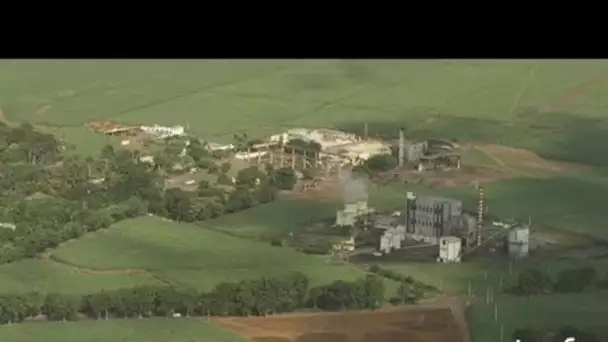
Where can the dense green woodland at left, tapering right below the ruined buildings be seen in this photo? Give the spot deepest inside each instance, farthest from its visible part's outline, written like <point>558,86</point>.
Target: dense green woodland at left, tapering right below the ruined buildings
<point>51,196</point>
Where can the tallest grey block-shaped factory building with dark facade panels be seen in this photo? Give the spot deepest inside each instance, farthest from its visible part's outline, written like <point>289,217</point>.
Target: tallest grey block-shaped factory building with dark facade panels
<point>428,218</point>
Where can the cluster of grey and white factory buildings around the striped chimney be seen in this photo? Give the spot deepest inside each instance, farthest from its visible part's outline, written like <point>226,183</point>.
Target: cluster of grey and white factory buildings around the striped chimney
<point>435,221</point>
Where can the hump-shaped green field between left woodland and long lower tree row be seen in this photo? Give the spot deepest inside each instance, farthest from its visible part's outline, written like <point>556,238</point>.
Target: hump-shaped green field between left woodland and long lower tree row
<point>192,256</point>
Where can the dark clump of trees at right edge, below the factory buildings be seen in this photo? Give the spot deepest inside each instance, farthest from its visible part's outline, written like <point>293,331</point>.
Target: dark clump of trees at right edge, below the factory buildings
<point>535,281</point>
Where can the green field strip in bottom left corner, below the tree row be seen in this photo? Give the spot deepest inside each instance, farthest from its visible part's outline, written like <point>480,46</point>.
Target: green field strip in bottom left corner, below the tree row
<point>131,330</point>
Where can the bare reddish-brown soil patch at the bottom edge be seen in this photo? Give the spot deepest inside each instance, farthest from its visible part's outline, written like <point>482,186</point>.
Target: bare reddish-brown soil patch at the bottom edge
<point>396,325</point>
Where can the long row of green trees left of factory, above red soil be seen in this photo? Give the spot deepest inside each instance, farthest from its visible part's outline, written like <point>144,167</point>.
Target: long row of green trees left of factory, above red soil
<point>258,297</point>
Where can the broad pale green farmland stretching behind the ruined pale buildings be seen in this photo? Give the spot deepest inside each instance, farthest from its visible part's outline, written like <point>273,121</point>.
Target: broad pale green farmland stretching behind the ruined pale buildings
<point>555,107</point>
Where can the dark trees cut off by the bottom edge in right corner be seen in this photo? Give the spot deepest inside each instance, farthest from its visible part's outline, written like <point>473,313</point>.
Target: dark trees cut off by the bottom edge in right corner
<point>559,335</point>
